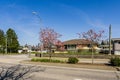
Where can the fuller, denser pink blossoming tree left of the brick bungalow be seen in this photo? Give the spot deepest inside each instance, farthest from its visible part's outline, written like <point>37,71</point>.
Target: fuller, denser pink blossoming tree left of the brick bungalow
<point>48,37</point>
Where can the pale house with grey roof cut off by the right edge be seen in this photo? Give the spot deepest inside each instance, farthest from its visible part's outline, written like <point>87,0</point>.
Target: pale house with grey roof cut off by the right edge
<point>116,46</point>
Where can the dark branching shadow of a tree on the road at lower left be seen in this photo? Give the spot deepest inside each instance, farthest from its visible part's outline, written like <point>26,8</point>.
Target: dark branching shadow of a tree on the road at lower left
<point>18,72</point>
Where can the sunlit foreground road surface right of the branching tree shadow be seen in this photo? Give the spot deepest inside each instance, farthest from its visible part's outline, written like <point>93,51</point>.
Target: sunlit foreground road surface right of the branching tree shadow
<point>57,73</point>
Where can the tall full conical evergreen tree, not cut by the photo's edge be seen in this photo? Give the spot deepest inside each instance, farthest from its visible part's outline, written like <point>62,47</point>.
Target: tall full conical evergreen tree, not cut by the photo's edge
<point>12,41</point>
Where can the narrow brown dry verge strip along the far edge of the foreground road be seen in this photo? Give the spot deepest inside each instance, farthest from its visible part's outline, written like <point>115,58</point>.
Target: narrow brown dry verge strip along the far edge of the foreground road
<point>79,65</point>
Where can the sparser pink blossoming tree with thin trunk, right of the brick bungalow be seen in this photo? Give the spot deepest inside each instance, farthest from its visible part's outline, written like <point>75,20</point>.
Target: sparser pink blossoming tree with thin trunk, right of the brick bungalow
<point>93,37</point>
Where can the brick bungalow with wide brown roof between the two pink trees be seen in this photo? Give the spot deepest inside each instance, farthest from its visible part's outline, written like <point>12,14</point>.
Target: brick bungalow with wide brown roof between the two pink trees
<point>76,44</point>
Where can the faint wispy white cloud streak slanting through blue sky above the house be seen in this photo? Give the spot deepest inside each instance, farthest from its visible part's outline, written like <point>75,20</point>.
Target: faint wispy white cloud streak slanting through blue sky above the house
<point>92,22</point>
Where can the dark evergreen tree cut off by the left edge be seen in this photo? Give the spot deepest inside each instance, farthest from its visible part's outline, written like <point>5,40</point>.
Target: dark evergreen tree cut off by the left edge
<point>2,41</point>
